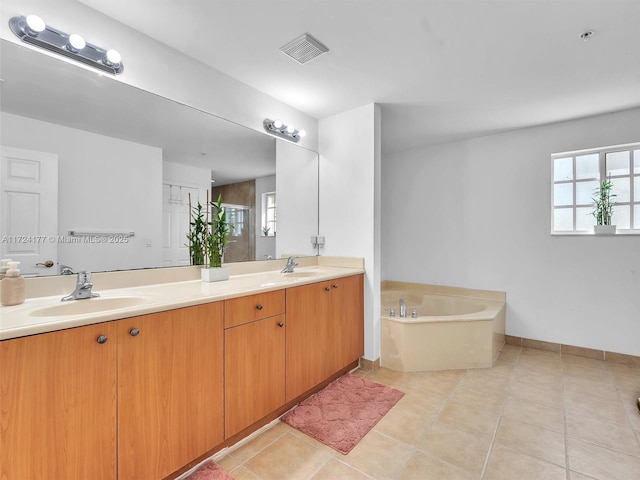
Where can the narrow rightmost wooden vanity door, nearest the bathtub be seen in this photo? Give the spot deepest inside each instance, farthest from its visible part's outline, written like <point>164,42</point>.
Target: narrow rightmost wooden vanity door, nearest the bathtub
<point>347,318</point>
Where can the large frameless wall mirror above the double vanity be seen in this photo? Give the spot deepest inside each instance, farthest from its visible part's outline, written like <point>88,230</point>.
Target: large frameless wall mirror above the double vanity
<point>97,175</point>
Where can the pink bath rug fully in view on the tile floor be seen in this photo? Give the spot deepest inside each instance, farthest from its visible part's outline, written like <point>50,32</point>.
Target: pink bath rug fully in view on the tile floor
<point>342,413</point>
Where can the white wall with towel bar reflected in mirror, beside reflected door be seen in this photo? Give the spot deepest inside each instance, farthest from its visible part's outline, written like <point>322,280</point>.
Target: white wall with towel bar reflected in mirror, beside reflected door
<point>116,203</point>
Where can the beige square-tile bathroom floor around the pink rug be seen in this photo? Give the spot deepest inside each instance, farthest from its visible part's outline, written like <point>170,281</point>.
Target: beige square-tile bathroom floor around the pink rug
<point>535,415</point>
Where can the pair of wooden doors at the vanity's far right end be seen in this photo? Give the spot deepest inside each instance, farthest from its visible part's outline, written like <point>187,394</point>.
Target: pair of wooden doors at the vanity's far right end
<point>325,331</point>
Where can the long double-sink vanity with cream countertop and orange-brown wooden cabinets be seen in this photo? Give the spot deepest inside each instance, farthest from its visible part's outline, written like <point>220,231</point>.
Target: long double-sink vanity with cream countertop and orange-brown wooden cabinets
<point>144,382</point>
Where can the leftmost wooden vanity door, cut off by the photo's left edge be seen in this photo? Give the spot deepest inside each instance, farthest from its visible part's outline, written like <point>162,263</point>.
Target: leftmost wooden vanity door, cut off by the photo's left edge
<point>58,405</point>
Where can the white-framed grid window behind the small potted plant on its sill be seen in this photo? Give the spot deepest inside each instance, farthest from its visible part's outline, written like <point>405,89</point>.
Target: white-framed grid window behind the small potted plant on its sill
<point>577,175</point>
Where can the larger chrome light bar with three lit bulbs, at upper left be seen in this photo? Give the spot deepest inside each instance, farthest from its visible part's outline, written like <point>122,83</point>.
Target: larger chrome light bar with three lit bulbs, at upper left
<point>34,31</point>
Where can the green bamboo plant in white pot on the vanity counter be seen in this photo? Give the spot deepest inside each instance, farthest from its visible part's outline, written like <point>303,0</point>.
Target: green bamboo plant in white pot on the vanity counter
<point>208,239</point>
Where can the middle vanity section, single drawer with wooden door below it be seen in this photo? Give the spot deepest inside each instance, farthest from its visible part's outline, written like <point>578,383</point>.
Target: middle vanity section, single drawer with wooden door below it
<point>254,359</point>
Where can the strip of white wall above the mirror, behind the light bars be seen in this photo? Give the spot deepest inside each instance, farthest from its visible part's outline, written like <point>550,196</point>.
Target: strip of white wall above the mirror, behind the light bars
<point>157,68</point>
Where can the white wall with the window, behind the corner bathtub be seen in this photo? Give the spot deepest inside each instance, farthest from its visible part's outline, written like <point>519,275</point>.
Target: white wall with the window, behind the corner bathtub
<point>476,214</point>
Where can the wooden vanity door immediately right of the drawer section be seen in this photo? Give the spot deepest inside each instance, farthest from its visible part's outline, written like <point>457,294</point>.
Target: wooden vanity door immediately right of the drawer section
<point>309,337</point>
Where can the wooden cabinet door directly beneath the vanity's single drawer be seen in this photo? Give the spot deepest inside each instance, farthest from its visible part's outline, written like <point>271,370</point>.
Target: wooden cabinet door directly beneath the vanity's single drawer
<point>254,372</point>
